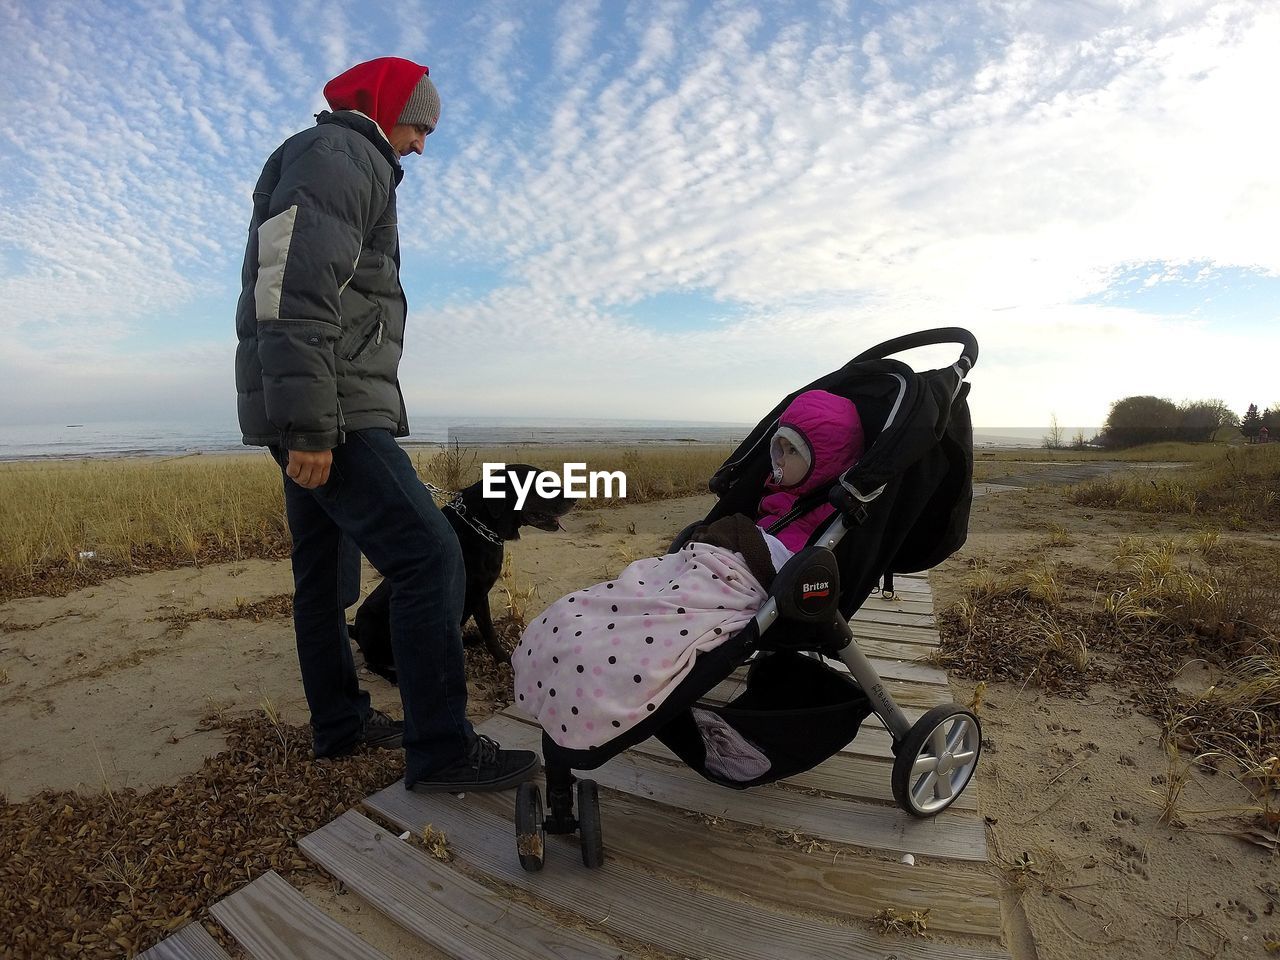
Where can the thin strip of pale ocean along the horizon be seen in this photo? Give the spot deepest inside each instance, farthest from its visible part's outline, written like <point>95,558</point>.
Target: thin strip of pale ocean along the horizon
<point>168,440</point>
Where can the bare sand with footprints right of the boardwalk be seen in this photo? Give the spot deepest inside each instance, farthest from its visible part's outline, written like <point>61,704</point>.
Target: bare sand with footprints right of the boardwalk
<point>1073,789</point>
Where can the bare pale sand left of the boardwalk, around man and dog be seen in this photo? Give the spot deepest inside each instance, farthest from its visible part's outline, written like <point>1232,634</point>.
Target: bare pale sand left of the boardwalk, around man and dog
<point>109,685</point>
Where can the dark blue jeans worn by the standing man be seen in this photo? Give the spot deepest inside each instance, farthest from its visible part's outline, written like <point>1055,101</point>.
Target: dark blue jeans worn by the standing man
<point>374,504</point>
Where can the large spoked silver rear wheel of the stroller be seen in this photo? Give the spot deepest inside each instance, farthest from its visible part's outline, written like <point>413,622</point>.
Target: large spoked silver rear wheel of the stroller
<point>936,760</point>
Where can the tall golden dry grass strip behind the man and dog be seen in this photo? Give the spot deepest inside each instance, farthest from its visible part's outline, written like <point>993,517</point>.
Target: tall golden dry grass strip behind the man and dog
<point>71,524</point>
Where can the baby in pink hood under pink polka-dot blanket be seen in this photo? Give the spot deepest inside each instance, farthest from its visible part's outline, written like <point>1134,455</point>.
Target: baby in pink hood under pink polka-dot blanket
<point>598,661</point>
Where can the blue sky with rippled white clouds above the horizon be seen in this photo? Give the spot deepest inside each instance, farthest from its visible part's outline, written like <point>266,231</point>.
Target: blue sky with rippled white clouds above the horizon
<point>656,209</point>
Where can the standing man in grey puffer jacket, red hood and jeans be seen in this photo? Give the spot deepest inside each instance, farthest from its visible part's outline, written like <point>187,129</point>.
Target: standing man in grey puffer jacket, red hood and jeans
<point>321,323</point>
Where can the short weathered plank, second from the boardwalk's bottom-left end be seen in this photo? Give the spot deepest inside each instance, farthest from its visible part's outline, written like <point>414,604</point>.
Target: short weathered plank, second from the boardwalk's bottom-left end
<point>275,922</point>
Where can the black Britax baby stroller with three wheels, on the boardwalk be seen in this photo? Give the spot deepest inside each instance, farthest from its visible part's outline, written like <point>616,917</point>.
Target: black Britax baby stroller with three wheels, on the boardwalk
<point>904,508</point>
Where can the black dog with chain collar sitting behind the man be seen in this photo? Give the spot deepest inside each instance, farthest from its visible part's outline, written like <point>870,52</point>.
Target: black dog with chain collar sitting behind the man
<point>483,525</point>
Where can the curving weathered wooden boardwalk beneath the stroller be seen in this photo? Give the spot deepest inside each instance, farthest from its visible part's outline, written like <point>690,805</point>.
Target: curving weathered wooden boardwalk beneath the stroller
<point>797,870</point>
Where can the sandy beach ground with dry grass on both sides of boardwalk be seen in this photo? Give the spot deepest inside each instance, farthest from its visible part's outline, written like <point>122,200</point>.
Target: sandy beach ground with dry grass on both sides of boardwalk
<point>1123,659</point>
